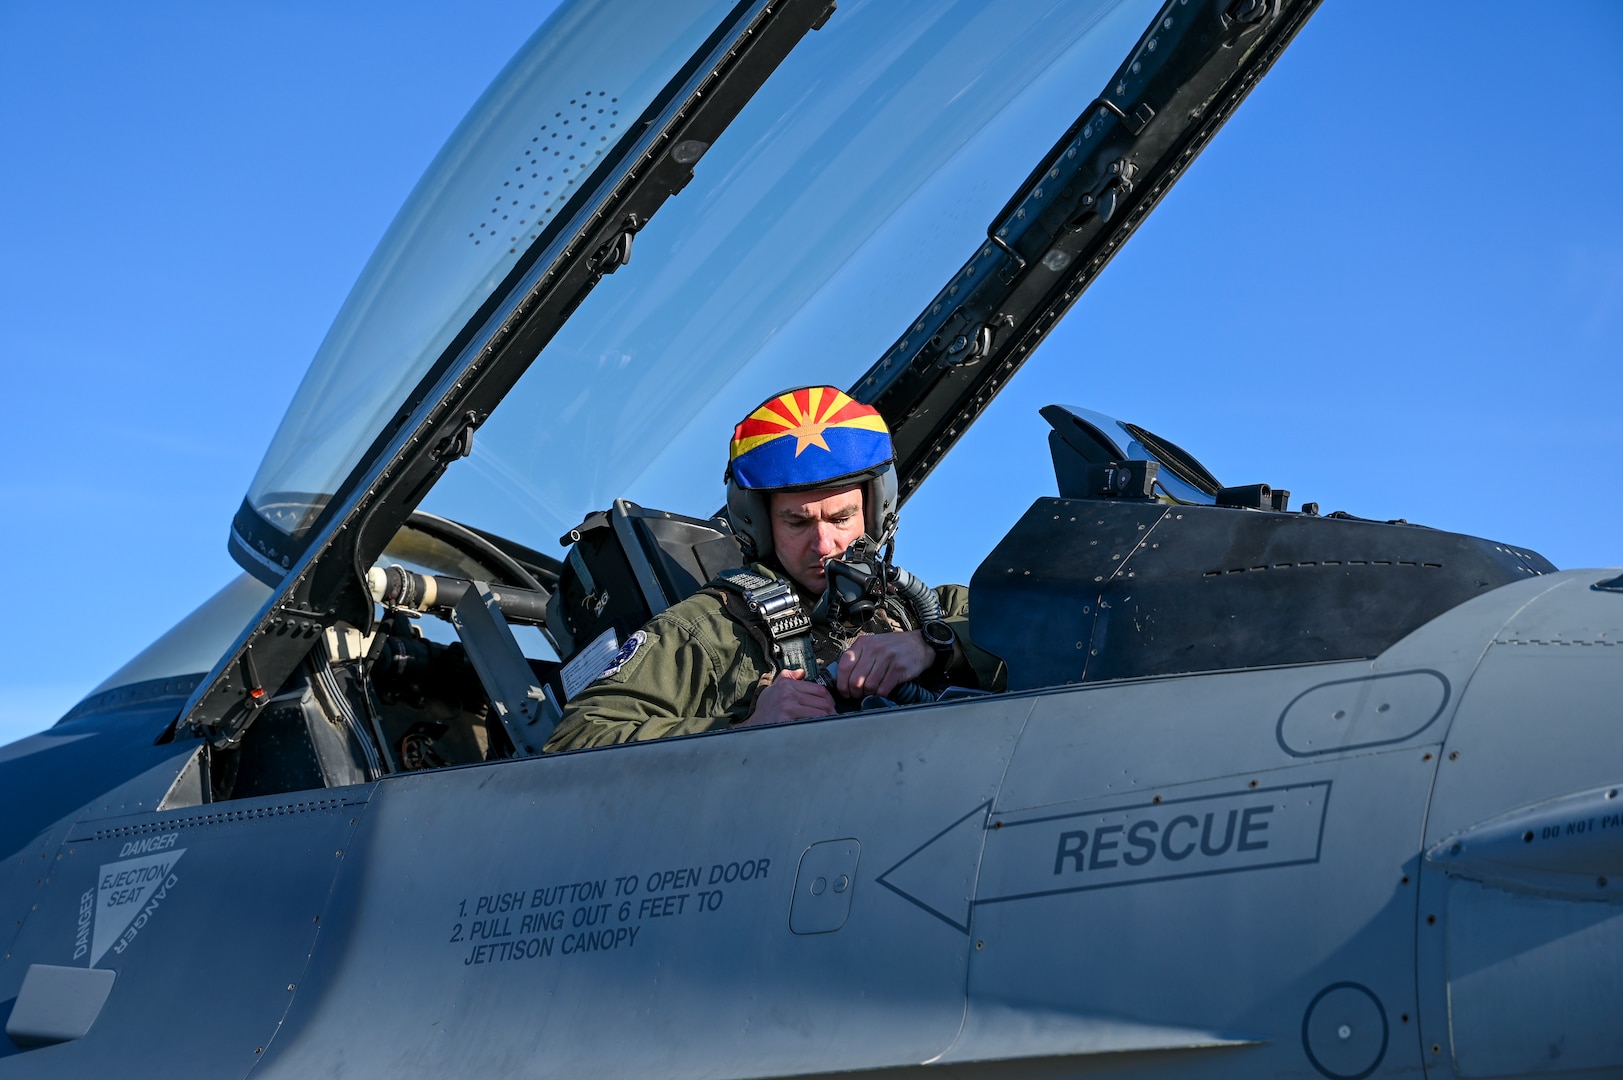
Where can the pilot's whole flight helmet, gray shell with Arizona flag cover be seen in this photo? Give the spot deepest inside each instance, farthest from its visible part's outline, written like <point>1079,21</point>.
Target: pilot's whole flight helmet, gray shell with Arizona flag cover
<point>809,439</point>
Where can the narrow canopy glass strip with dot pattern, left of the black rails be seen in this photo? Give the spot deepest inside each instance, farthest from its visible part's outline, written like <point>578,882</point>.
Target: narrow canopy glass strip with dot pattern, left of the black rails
<point>519,157</point>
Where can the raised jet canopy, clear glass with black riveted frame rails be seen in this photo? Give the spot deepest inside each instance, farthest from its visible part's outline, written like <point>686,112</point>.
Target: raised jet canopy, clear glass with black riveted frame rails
<point>903,204</point>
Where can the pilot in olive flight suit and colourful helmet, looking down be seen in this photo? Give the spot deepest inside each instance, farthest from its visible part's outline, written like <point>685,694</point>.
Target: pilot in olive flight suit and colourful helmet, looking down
<point>811,473</point>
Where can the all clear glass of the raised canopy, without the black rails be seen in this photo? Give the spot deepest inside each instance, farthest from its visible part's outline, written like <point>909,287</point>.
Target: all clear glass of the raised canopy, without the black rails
<point>820,223</point>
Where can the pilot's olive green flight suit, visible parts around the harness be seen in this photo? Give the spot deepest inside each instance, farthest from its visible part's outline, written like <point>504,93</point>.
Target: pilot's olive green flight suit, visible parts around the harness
<point>697,668</point>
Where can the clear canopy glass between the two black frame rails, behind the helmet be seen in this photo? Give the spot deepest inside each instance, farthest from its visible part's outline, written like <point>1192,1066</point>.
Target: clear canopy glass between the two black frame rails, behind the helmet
<point>838,204</point>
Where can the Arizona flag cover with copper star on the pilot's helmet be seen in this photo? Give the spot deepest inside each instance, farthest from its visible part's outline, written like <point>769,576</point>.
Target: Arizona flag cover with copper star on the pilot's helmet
<point>806,439</point>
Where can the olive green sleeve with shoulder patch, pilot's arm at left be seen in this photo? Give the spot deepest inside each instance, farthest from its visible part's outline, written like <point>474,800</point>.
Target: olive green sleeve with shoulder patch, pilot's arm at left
<point>679,680</point>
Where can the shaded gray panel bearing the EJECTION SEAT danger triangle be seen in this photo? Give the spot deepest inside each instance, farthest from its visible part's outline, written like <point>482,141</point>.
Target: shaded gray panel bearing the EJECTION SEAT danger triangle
<point>199,925</point>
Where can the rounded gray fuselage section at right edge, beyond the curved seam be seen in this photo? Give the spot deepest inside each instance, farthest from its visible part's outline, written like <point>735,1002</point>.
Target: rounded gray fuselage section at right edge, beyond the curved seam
<point>1522,933</point>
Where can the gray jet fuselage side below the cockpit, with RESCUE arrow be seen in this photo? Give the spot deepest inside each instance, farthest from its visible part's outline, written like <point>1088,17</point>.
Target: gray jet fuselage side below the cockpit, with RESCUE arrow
<point>1244,873</point>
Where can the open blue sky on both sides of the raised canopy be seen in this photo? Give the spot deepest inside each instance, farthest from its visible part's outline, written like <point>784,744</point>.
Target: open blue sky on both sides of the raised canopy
<point>1393,285</point>
